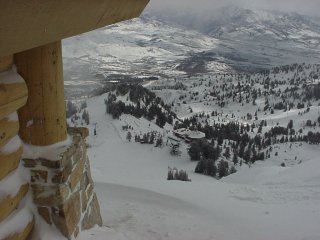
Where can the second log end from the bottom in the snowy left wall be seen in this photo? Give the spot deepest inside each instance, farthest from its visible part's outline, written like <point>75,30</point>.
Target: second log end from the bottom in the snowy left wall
<point>8,204</point>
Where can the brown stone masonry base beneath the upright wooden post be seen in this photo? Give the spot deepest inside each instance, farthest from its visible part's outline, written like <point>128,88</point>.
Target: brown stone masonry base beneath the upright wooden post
<point>63,189</point>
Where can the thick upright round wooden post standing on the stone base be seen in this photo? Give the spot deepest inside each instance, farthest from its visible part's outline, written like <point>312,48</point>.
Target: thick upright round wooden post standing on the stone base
<point>43,118</point>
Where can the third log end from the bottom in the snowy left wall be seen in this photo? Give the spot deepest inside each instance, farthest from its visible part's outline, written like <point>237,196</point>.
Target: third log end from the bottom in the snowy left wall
<point>9,162</point>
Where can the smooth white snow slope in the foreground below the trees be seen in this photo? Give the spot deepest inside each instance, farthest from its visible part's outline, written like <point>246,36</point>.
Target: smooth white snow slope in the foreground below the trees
<point>137,202</point>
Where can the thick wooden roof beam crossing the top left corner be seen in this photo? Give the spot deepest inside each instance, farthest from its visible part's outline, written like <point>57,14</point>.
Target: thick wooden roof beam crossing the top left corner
<point>33,23</point>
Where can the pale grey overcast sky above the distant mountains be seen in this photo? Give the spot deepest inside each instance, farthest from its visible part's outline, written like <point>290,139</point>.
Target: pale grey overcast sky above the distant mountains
<point>310,7</point>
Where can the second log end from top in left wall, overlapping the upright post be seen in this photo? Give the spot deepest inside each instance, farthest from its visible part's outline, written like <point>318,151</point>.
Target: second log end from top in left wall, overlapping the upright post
<point>12,97</point>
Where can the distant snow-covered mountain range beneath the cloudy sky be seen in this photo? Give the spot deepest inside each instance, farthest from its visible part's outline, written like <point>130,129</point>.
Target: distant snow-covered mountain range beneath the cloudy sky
<point>231,40</point>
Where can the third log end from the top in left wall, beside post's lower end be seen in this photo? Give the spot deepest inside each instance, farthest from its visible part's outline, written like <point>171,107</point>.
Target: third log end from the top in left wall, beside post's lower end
<point>8,129</point>
